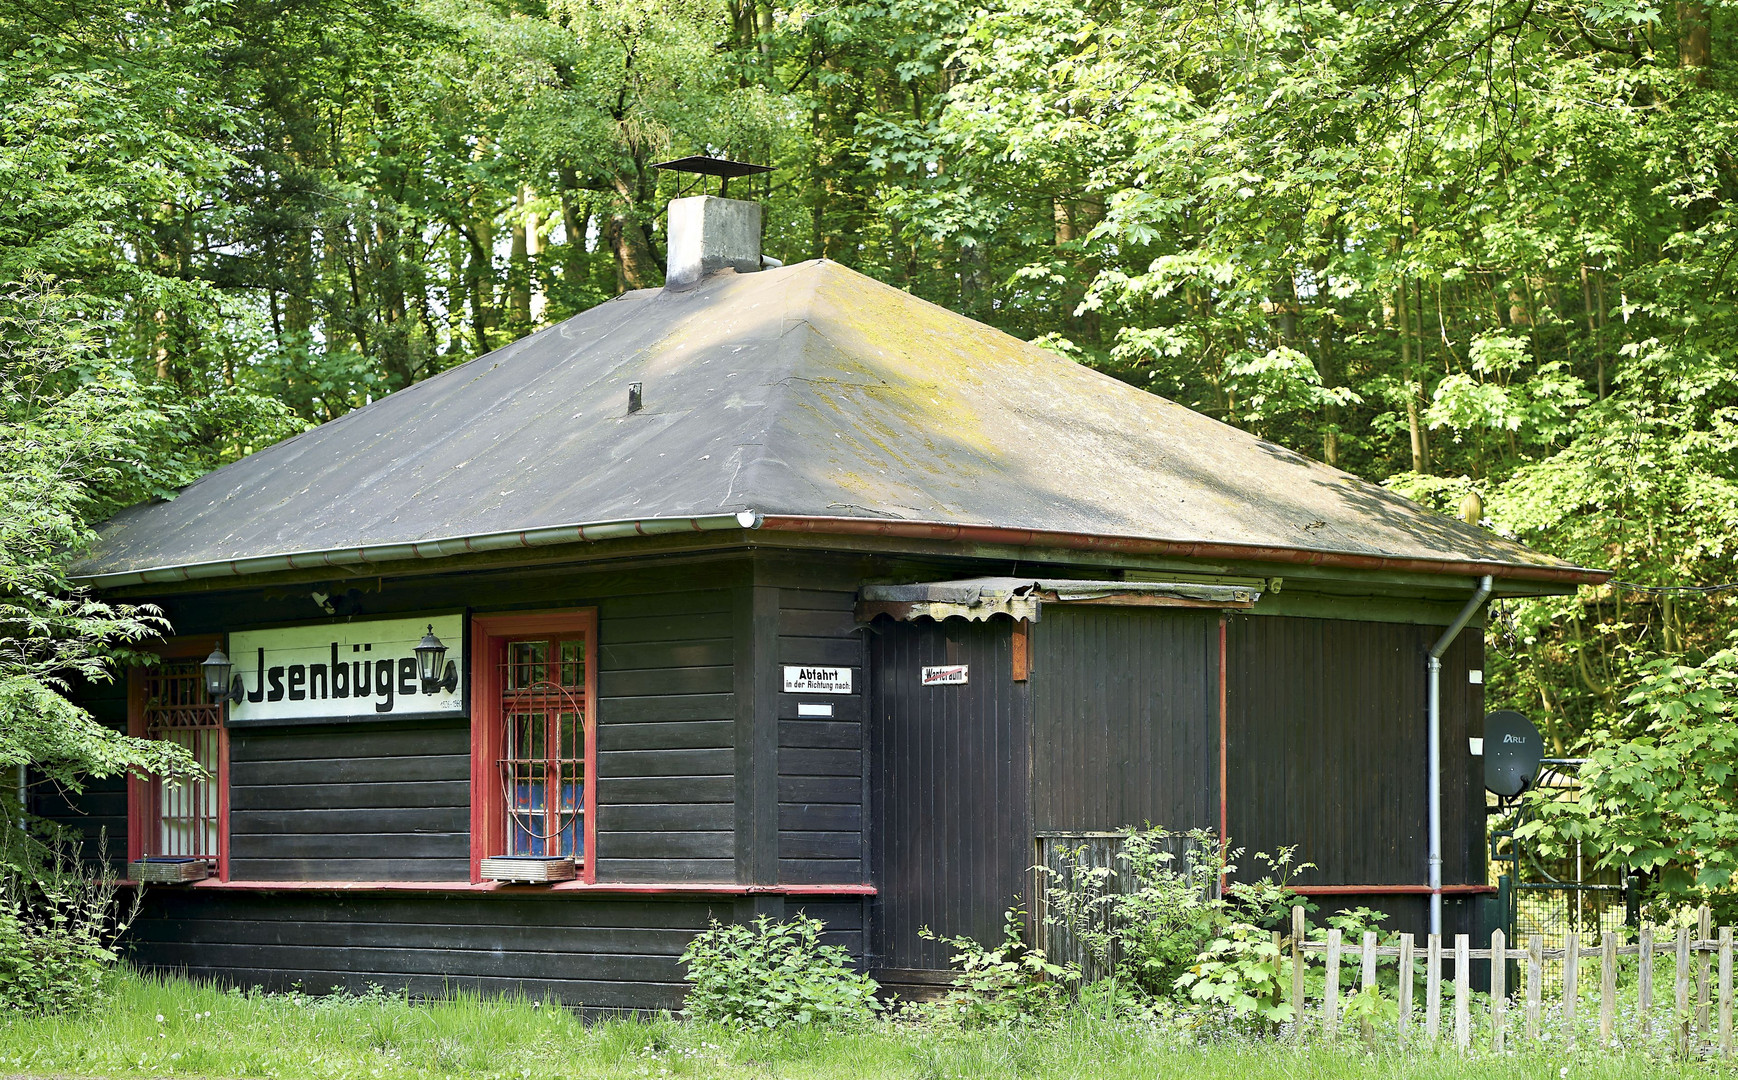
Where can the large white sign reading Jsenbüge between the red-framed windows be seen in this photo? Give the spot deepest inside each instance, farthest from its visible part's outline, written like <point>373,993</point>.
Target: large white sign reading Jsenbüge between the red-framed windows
<point>364,670</point>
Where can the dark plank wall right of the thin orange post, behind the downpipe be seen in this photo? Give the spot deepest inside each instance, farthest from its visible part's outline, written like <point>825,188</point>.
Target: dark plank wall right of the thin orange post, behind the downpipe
<point>1329,749</point>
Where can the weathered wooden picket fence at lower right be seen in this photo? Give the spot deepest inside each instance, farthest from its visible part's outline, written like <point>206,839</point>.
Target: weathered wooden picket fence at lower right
<point>1694,954</point>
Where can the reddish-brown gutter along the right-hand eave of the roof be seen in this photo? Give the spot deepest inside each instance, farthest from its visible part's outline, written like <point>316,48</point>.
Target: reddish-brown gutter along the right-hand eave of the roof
<point>1136,545</point>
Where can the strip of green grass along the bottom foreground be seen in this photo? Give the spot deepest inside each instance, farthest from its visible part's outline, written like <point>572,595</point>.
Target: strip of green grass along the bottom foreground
<point>180,1029</point>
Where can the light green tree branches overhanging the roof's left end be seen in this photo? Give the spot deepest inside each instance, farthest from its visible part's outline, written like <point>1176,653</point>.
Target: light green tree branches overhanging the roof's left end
<point>79,436</point>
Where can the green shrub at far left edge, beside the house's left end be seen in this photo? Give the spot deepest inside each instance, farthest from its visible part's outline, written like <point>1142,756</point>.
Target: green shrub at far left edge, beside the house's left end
<point>58,930</point>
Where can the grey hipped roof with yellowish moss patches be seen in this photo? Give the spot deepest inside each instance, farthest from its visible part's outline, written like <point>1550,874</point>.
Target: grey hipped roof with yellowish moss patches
<point>804,397</point>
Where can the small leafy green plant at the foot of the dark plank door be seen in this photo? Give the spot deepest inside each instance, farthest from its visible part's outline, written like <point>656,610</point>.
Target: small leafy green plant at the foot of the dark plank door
<point>1009,983</point>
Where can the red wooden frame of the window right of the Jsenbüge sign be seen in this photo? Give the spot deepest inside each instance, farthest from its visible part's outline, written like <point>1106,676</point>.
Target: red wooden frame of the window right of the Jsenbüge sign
<point>491,637</point>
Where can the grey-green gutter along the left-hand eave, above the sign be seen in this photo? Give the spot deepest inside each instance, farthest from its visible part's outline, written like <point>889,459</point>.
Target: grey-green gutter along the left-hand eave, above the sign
<point>432,549</point>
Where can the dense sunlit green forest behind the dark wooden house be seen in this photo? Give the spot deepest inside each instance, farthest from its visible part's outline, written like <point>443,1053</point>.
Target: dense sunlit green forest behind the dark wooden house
<point>1482,253</point>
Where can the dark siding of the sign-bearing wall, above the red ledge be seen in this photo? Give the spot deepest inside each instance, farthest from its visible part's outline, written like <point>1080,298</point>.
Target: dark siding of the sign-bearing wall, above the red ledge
<point>373,803</point>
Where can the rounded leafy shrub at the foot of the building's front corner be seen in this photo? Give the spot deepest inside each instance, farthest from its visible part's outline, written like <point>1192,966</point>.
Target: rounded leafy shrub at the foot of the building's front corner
<point>774,973</point>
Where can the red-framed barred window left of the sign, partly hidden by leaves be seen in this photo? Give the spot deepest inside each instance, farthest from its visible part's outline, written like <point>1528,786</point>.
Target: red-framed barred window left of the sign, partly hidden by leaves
<point>183,817</point>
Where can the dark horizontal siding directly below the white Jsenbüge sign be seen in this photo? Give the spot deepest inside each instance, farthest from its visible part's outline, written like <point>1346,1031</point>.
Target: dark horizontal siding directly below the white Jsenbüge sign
<point>362,803</point>
